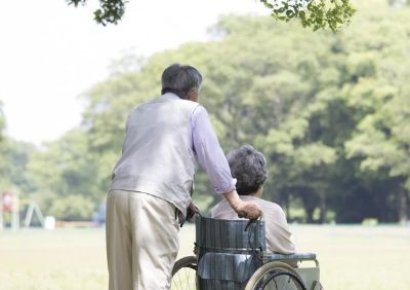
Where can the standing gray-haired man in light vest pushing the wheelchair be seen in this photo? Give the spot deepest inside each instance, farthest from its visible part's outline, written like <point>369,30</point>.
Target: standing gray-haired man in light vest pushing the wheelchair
<point>153,180</point>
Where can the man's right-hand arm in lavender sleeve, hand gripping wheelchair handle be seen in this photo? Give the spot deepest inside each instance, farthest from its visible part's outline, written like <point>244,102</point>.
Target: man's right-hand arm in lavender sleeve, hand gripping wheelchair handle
<point>212,159</point>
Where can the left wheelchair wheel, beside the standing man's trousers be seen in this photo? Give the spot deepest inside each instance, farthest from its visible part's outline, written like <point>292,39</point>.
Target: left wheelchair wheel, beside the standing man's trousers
<point>184,274</point>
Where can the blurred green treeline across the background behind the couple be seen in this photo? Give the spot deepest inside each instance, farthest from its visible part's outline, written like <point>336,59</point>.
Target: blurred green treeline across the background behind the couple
<point>331,112</point>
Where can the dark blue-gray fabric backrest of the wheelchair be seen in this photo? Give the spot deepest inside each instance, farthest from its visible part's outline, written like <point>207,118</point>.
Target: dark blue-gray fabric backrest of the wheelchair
<point>227,252</point>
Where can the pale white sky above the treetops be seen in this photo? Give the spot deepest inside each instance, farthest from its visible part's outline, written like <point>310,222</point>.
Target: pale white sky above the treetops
<point>51,53</point>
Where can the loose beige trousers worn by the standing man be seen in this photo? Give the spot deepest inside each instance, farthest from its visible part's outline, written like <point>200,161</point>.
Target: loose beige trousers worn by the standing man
<point>142,241</point>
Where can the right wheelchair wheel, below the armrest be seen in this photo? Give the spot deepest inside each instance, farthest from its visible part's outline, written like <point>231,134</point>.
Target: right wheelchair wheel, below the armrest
<point>275,276</point>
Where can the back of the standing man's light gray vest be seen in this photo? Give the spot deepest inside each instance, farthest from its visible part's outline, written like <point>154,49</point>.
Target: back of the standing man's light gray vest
<point>157,153</point>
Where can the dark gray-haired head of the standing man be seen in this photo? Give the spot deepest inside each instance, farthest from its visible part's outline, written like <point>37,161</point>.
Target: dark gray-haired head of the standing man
<point>182,80</point>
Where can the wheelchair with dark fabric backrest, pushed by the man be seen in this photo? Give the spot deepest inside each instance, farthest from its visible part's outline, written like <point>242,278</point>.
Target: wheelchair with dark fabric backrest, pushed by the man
<point>232,255</point>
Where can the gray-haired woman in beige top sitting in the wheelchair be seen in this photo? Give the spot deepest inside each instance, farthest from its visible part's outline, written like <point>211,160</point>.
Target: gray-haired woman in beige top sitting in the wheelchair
<point>248,166</point>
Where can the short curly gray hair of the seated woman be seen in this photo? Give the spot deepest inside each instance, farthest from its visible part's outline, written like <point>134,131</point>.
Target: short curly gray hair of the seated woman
<point>248,166</point>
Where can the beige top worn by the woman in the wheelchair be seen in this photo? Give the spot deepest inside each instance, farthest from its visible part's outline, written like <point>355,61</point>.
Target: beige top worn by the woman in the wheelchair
<point>278,235</point>
